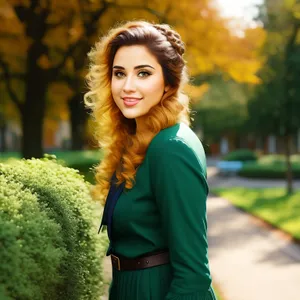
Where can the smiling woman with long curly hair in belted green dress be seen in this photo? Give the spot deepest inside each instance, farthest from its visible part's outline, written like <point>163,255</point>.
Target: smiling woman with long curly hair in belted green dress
<point>154,168</point>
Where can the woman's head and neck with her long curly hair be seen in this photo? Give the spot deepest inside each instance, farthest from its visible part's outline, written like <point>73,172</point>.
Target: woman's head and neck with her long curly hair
<point>153,95</point>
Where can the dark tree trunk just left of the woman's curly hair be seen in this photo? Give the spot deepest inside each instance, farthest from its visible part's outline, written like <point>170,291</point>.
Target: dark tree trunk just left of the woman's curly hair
<point>78,121</point>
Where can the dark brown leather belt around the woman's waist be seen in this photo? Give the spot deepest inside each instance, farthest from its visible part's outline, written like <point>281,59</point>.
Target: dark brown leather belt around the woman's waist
<point>122,263</point>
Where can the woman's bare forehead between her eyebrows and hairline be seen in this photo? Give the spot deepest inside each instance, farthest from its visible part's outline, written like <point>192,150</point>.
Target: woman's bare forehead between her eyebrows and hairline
<point>134,55</point>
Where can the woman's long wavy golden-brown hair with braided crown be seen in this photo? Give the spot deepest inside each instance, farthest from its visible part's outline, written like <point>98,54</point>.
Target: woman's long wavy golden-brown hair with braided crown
<point>124,148</point>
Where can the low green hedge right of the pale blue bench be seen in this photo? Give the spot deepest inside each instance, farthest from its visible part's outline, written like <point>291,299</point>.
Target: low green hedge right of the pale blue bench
<point>264,170</point>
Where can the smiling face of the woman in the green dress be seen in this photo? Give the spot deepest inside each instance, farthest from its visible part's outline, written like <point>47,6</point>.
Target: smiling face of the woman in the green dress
<point>137,81</point>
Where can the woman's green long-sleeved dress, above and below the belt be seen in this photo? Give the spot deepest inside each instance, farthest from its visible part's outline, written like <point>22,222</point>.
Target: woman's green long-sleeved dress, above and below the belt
<point>165,209</point>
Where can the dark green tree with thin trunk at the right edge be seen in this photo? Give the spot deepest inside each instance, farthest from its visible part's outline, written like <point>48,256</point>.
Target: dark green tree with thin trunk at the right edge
<point>276,103</point>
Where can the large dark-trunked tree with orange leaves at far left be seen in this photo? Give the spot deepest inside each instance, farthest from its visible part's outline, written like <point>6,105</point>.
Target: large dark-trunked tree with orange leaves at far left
<point>34,62</point>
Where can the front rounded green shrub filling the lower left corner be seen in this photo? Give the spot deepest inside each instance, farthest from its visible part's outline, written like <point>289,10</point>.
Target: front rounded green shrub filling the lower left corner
<point>31,245</point>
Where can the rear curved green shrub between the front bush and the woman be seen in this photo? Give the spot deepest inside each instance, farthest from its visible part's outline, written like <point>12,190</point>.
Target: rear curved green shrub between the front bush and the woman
<point>64,197</point>
